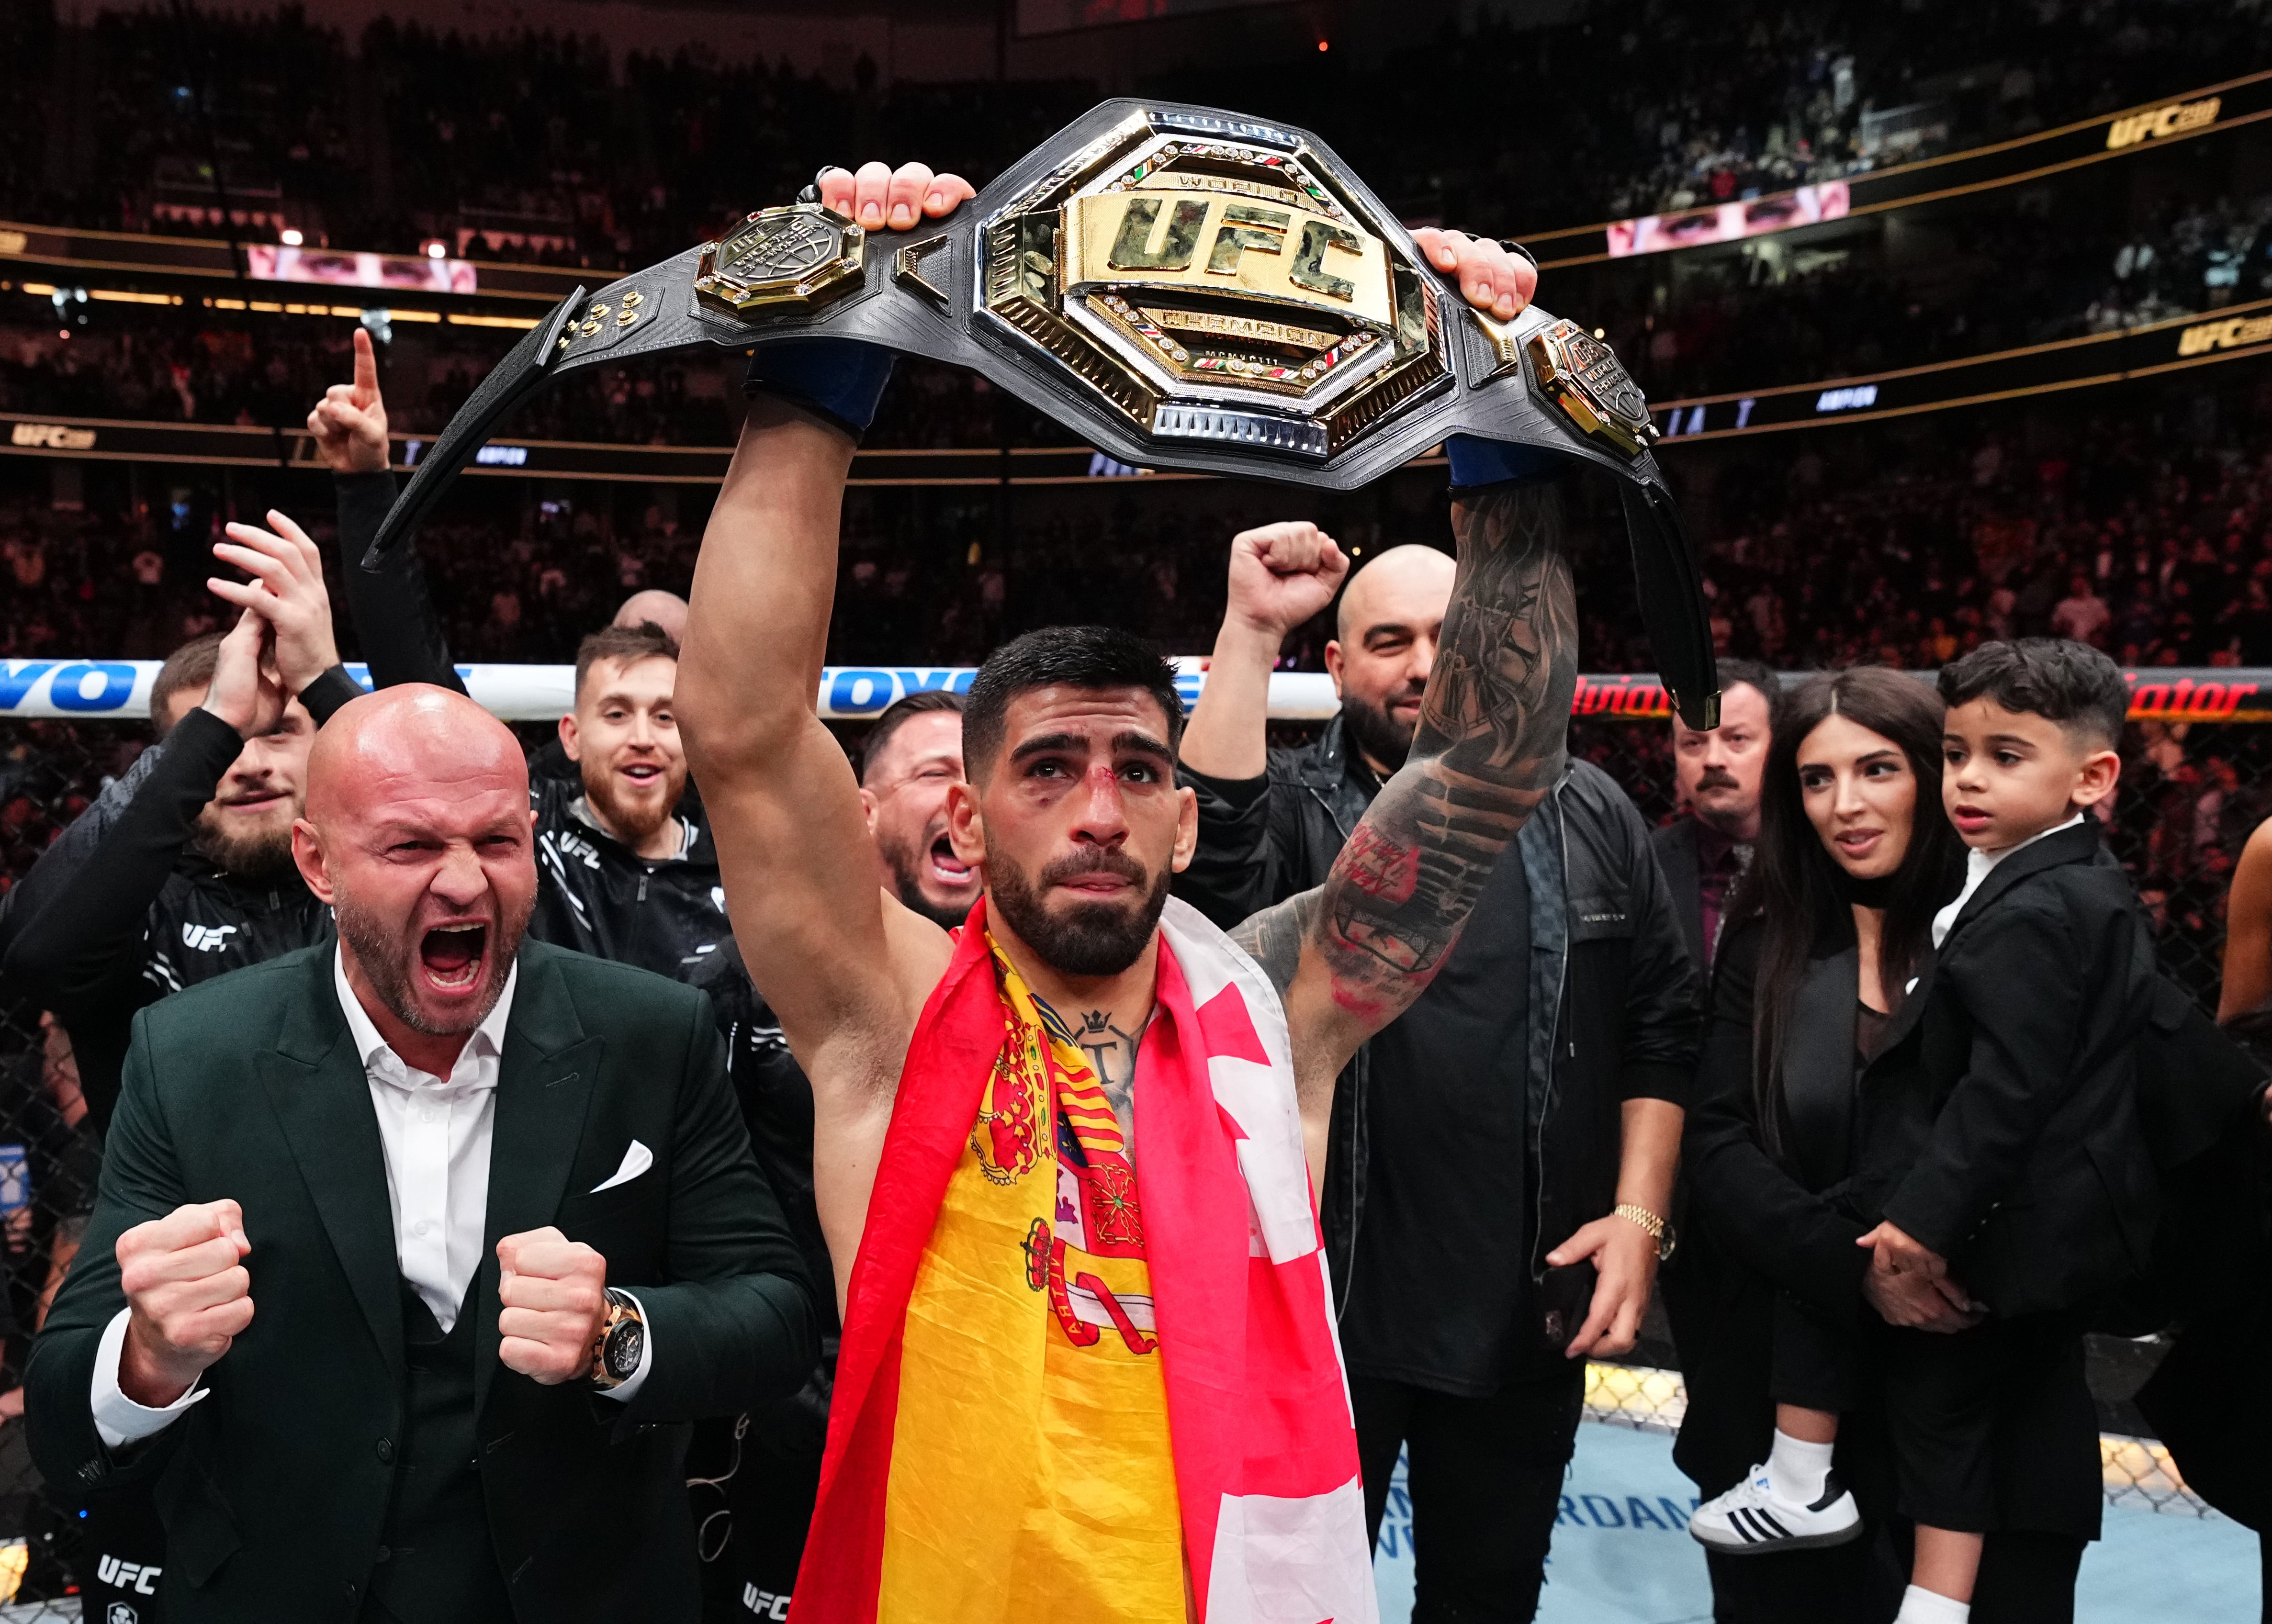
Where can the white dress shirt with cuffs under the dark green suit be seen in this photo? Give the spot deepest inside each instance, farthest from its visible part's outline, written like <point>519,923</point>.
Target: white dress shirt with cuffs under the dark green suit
<point>437,1137</point>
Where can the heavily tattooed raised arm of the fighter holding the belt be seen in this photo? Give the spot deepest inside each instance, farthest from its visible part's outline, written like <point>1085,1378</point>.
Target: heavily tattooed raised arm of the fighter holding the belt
<point>1492,744</point>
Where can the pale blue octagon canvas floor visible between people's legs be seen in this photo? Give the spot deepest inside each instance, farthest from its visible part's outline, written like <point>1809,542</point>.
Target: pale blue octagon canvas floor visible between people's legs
<point>1623,1552</point>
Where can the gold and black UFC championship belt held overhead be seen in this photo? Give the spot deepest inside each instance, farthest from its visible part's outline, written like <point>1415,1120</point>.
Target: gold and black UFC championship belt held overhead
<point>1187,290</point>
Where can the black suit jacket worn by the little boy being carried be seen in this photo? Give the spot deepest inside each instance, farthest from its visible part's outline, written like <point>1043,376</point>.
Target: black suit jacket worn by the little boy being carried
<point>2021,1157</point>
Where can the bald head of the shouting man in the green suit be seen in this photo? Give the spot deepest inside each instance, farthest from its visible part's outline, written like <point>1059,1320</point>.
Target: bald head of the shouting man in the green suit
<point>419,837</point>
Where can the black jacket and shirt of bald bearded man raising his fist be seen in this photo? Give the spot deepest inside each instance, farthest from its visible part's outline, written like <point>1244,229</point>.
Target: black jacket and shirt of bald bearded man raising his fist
<point>1605,1012</point>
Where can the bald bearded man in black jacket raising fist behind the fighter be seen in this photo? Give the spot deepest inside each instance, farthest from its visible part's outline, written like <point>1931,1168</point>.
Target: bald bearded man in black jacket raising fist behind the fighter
<point>1496,1219</point>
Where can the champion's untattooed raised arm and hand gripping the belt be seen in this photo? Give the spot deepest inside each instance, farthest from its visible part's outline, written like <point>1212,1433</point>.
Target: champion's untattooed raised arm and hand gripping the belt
<point>844,966</point>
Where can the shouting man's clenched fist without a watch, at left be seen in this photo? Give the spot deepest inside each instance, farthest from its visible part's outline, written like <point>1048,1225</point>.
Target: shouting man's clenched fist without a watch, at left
<point>190,1296</point>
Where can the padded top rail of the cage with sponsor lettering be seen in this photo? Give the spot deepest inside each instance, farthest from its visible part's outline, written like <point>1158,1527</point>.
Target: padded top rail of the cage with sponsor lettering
<point>119,689</point>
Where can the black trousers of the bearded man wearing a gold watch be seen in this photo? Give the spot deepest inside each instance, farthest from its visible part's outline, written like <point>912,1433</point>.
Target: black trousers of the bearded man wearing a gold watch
<point>1485,1480</point>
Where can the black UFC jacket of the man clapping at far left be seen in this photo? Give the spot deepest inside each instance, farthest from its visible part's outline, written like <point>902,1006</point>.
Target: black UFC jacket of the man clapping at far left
<point>122,912</point>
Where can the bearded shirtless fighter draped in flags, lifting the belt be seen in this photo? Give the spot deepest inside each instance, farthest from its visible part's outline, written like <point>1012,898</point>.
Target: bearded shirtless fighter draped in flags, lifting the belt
<point>1089,1125</point>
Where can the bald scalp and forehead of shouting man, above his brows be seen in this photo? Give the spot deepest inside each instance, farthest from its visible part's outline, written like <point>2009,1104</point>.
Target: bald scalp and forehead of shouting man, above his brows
<point>403,737</point>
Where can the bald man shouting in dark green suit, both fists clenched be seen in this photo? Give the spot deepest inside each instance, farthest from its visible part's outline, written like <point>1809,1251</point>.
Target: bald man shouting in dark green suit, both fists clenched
<point>415,1255</point>
